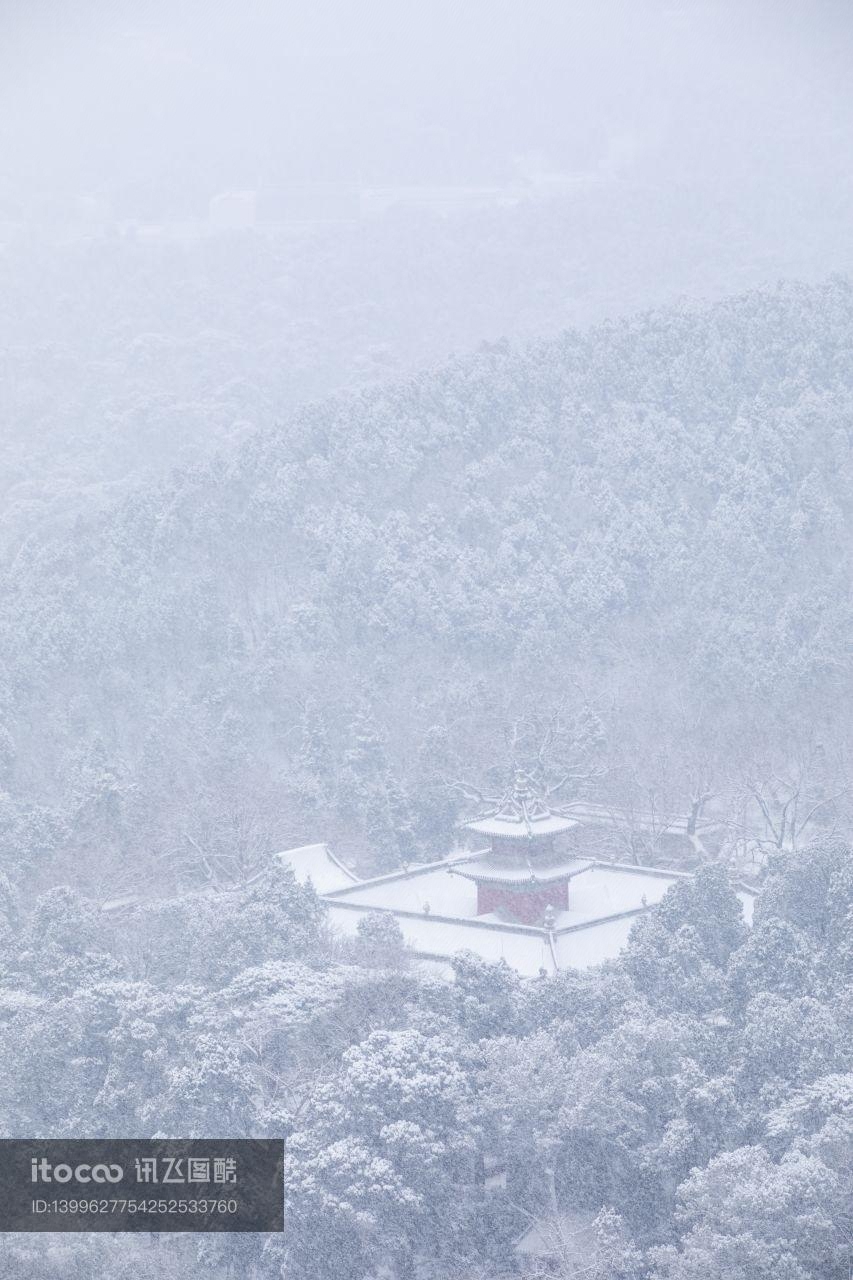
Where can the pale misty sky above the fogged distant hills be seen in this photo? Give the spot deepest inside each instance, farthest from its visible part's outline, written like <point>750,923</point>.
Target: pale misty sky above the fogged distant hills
<point>199,98</point>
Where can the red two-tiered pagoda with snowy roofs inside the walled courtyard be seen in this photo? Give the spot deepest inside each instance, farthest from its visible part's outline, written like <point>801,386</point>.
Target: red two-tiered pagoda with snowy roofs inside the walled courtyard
<point>523,876</point>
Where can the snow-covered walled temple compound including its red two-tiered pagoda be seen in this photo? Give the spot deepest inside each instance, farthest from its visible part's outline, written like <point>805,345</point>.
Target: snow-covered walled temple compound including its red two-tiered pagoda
<point>528,895</point>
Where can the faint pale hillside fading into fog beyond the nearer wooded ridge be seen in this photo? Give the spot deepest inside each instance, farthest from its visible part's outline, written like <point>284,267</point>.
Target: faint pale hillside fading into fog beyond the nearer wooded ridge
<point>129,349</point>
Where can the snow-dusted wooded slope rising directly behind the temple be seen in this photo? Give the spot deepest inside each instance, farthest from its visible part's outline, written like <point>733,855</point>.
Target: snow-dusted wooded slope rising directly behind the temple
<point>641,531</point>
